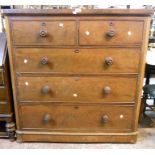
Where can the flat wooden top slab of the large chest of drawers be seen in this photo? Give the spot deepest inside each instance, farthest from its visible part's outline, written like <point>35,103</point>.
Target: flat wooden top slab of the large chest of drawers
<point>58,12</point>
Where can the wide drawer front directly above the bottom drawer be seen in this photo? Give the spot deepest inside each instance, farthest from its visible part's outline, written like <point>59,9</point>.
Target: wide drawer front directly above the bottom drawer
<point>88,89</point>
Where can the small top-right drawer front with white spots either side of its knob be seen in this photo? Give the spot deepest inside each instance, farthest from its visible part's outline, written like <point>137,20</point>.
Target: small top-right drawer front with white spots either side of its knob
<point>110,32</point>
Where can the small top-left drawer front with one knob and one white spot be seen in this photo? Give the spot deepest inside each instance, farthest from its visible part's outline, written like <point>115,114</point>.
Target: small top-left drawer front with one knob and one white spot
<point>44,32</point>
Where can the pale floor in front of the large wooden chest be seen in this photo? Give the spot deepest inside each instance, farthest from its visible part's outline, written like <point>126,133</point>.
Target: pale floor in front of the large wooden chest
<point>146,140</point>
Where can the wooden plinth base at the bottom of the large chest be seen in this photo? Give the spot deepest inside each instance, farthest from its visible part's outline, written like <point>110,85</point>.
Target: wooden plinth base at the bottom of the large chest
<point>89,137</point>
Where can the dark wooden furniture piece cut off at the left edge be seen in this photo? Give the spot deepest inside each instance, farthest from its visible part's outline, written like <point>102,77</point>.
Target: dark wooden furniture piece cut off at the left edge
<point>7,126</point>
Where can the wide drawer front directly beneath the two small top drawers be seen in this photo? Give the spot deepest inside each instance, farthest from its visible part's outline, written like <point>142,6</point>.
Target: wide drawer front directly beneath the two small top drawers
<point>106,60</point>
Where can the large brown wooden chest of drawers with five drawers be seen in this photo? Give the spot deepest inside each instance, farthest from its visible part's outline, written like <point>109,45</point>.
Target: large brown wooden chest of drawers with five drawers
<point>77,77</point>
